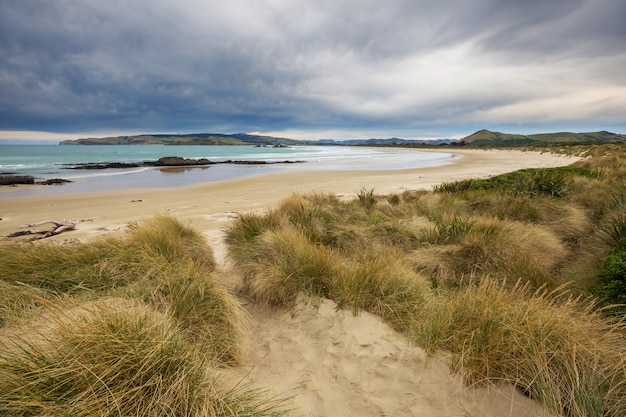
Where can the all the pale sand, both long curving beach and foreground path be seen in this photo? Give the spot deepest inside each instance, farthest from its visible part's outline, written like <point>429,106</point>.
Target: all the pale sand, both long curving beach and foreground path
<point>330,362</point>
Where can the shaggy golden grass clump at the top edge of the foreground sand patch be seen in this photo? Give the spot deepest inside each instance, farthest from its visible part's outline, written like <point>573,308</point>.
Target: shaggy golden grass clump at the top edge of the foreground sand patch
<point>288,260</point>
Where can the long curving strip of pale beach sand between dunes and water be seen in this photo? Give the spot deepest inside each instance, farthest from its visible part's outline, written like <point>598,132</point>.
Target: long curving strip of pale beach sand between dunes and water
<point>209,206</point>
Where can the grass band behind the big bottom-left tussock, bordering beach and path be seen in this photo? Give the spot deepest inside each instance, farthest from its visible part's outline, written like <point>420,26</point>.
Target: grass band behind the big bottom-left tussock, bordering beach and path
<point>161,261</point>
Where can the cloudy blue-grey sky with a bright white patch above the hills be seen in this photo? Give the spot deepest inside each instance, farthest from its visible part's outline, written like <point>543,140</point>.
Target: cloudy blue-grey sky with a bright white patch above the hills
<point>311,69</point>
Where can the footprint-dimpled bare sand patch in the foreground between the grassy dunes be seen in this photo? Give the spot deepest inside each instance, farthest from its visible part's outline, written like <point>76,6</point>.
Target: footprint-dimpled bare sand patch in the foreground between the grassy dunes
<point>332,363</point>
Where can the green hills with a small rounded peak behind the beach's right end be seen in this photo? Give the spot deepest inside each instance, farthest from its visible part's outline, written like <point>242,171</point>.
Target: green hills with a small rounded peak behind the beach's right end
<point>487,137</point>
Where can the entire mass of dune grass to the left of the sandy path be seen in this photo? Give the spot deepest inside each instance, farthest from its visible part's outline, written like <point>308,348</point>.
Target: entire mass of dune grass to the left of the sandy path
<point>136,325</point>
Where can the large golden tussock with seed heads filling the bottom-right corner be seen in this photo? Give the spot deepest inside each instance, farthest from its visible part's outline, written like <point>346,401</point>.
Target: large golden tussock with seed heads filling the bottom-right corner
<point>558,349</point>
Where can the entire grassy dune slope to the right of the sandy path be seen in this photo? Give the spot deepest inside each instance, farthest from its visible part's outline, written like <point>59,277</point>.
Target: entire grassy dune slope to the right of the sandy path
<point>476,268</point>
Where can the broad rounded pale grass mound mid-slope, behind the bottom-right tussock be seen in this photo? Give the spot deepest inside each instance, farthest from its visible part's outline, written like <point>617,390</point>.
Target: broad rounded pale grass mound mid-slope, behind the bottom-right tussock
<point>487,246</point>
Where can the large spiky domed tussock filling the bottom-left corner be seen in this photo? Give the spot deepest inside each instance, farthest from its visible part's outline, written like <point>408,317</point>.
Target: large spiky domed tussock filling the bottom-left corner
<point>112,359</point>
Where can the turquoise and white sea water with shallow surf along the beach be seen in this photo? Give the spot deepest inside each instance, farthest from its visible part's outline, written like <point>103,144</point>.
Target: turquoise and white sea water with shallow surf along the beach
<point>52,161</point>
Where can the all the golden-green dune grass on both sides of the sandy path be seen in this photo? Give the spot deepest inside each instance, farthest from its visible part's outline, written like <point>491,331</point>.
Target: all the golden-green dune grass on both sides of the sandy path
<point>517,278</point>
